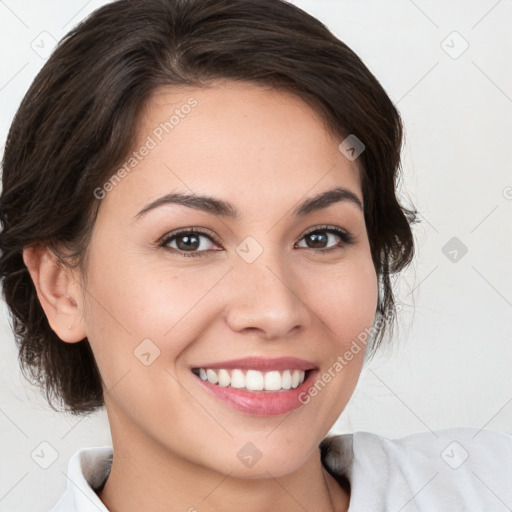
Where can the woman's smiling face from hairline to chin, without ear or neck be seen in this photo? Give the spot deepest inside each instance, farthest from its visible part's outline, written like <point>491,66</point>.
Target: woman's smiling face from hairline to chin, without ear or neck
<point>156,307</point>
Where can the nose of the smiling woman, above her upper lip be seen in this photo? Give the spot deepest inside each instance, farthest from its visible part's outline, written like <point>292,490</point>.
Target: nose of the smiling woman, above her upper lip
<point>265,296</point>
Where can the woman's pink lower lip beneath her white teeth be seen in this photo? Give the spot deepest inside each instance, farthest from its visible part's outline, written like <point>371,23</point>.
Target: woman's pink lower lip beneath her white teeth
<point>261,403</point>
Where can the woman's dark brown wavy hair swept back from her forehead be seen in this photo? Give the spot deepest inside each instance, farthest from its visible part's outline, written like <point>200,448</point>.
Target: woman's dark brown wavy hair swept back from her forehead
<point>77,123</point>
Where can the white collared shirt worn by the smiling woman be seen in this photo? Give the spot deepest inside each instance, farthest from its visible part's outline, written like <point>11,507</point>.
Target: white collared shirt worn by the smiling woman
<point>450,470</point>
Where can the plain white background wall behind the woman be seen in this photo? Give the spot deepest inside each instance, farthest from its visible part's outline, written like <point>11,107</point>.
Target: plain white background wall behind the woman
<point>446,64</point>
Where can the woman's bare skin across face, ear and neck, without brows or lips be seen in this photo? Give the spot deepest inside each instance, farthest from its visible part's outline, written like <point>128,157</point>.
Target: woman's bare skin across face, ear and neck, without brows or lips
<point>175,445</point>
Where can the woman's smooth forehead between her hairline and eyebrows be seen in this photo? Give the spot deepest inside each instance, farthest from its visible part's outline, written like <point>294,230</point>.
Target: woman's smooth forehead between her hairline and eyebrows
<point>248,144</point>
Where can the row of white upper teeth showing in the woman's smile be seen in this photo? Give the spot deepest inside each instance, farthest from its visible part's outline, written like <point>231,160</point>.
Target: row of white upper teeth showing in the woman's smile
<point>254,380</point>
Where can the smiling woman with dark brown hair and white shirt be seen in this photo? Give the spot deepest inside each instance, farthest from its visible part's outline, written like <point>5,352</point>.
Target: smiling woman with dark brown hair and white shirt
<point>199,229</point>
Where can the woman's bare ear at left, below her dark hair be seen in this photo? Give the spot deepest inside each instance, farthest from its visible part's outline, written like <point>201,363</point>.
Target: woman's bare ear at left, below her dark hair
<point>59,292</point>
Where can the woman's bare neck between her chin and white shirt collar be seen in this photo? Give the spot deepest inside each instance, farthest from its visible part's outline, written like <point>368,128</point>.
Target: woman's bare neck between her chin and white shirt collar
<point>146,476</point>
